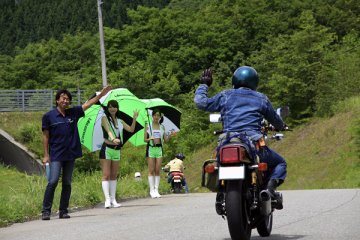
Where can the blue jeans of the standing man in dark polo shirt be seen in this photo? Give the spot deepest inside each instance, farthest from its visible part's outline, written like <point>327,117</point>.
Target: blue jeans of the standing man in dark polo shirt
<point>55,170</point>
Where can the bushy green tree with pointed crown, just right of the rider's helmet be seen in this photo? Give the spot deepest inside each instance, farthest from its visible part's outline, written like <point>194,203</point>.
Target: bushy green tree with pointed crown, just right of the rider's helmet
<point>290,64</point>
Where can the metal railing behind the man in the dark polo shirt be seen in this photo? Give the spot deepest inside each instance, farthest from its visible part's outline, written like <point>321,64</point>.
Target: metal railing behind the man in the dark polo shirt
<point>32,100</point>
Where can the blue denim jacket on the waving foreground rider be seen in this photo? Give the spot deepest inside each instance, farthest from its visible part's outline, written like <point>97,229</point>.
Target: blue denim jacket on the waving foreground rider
<point>242,110</point>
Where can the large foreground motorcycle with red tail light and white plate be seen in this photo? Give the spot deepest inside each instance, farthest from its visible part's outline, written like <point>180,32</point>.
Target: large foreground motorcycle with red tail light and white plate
<point>240,180</point>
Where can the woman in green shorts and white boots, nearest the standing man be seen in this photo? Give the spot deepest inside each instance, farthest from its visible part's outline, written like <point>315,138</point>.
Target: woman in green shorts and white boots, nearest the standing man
<point>112,127</point>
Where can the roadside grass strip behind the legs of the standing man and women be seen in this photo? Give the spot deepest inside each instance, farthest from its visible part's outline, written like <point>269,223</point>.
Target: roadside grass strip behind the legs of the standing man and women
<point>21,195</point>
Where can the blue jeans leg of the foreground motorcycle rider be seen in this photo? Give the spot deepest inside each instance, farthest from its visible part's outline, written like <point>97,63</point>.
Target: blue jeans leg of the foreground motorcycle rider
<point>275,162</point>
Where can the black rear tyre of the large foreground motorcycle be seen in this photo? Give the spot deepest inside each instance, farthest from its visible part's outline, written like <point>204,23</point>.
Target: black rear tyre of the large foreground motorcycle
<point>237,211</point>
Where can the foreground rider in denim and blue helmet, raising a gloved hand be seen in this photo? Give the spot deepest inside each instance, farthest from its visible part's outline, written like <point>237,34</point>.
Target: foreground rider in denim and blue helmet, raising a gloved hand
<point>242,109</point>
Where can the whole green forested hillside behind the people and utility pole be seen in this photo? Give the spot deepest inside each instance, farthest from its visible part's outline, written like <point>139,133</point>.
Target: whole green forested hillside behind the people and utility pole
<point>306,52</point>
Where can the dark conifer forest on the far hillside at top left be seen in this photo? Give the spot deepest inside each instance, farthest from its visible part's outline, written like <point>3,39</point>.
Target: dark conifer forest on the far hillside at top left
<point>26,21</point>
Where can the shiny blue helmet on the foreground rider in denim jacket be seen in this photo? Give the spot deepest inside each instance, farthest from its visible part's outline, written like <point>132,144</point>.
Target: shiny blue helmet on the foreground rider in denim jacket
<point>245,77</point>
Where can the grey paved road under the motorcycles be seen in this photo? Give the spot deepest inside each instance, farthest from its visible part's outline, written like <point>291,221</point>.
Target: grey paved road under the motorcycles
<point>307,215</point>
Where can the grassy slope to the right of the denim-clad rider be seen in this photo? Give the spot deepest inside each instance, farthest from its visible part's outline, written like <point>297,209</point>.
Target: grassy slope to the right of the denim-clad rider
<point>325,152</point>
